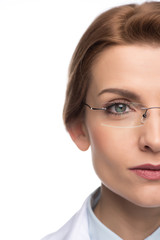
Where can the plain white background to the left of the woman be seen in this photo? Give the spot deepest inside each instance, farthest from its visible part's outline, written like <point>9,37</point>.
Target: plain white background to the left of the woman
<point>44,178</point>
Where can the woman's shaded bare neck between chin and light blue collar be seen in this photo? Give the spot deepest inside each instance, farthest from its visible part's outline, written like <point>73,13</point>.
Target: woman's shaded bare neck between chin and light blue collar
<point>124,218</point>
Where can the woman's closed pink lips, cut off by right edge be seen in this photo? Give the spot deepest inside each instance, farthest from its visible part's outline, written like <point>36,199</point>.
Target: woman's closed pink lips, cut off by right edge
<point>147,171</point>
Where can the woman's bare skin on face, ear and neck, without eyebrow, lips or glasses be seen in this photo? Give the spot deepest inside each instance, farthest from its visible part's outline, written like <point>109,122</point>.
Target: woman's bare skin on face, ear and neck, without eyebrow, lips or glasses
<point>129,204</point>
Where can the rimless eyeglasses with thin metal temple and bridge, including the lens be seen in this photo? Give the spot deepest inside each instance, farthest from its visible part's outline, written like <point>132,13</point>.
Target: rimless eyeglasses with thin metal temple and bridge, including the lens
<point>123,115</point>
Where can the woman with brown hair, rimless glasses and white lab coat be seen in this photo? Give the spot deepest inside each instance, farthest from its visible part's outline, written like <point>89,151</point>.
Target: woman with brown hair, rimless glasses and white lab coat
<point>113,106</point>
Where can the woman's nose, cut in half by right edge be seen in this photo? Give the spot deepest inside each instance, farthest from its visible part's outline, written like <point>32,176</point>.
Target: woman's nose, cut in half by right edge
<point>150,133</point>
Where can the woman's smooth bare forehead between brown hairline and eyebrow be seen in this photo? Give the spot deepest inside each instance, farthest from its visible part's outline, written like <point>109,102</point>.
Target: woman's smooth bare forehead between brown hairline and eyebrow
<point>132,67</point>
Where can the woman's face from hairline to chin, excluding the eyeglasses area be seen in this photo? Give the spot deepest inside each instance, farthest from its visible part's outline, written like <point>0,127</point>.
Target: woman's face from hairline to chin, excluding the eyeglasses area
<point>116,150</point>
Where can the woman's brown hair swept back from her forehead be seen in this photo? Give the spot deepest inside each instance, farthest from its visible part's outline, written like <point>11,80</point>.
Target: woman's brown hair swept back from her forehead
<point>128,24</point>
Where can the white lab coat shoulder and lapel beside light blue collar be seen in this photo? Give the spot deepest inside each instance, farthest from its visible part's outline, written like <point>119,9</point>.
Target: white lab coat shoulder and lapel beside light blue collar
<point>75,229</point>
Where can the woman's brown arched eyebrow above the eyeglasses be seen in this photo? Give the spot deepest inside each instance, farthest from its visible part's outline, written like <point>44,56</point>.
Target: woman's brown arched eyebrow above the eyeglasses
<point>121,92</point>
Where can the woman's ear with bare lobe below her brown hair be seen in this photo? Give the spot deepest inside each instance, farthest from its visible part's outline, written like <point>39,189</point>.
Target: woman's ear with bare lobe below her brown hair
<point>79,134</point>
